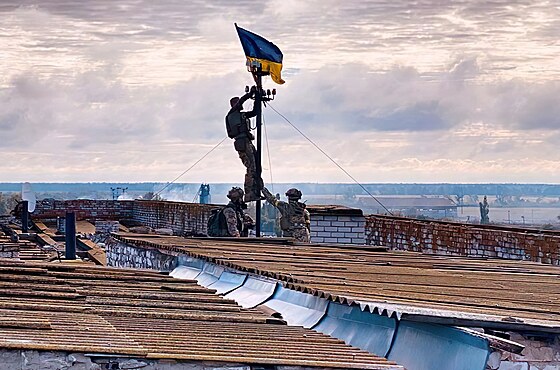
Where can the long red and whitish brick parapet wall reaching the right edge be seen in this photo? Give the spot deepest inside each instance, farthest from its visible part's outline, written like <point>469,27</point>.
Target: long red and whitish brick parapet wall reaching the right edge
<point>437,237</point>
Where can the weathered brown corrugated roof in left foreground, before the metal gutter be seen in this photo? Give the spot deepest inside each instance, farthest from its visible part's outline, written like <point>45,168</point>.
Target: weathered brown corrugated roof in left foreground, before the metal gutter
<point>64,307</point>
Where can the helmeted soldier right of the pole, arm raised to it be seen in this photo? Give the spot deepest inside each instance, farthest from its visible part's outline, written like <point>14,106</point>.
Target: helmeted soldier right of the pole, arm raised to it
<point>295,221</point>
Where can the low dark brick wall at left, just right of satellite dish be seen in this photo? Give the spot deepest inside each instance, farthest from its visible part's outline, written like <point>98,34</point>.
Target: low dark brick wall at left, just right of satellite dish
<point>85,209</point>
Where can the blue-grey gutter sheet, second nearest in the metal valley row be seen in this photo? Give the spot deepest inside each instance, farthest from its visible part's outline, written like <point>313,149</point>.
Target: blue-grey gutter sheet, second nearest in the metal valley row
<point>364,330</point>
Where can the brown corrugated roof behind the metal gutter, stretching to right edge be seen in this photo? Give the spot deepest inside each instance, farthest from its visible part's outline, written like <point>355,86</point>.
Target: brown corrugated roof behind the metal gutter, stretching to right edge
<point>451,290</point>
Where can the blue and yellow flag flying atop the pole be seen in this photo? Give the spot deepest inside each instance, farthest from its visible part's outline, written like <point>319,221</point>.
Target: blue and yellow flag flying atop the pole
<point>259,49</point>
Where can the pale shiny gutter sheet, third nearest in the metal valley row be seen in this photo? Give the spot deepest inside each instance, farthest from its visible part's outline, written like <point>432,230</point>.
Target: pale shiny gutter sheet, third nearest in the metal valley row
<point>298,309</point>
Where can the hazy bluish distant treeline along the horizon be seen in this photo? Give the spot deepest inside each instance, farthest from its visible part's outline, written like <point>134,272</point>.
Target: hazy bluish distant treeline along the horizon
<point>539,190</point>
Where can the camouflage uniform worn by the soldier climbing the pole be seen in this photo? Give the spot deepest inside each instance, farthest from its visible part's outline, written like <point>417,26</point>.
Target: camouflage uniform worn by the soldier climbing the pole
<point>243,144</point>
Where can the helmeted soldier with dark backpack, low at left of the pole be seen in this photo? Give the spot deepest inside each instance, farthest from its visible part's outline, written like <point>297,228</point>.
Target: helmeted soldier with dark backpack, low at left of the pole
<point>231,220</point>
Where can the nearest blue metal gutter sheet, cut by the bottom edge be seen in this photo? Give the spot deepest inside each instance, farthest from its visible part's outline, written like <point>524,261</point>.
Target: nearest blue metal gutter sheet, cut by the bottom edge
<point>421,346</point>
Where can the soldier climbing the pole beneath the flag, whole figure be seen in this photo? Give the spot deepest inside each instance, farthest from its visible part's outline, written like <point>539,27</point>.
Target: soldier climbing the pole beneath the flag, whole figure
<point>238,125</point>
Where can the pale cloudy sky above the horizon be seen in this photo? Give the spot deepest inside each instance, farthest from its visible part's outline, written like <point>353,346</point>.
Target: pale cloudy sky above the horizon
<point>393,91</point>
